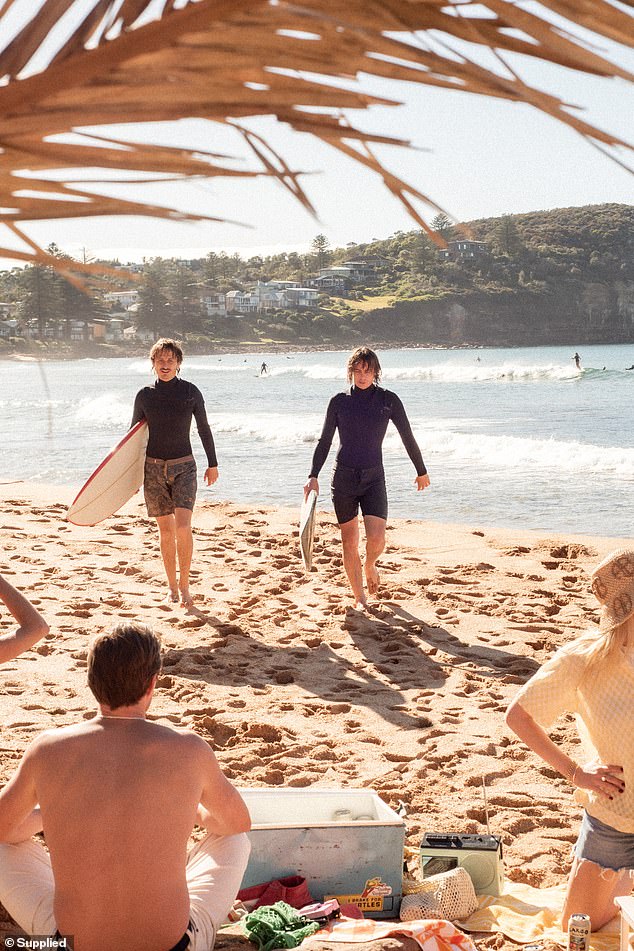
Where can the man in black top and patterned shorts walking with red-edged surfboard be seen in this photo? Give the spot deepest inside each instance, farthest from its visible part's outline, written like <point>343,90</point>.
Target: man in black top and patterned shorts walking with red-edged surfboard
<point>169,484</point>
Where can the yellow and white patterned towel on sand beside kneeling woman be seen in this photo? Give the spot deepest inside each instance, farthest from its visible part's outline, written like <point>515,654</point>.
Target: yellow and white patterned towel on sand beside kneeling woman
<point>527,914</point>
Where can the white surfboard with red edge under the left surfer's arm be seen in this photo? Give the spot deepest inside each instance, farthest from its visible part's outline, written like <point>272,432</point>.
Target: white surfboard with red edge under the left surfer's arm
<point>114,481</point>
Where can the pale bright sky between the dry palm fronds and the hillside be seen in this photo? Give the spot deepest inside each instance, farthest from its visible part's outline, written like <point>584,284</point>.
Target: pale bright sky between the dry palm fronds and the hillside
<point>475,157</point>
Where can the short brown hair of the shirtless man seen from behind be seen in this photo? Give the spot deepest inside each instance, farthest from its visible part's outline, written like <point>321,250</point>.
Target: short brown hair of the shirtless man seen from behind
<point>122,662</point>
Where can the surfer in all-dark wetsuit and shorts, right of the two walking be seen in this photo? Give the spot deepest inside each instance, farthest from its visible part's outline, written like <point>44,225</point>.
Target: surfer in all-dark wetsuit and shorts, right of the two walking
<point>361,415</point>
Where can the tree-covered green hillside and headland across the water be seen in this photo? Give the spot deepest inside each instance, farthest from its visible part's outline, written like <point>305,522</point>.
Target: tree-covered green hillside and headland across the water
<point>564,276</point>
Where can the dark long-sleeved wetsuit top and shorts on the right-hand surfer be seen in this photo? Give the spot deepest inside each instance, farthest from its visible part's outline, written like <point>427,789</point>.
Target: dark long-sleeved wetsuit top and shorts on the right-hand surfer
<point>362,417</point>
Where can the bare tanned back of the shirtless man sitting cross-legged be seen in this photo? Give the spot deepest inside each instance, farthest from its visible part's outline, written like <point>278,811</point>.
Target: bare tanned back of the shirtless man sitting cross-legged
<point>128,791</point>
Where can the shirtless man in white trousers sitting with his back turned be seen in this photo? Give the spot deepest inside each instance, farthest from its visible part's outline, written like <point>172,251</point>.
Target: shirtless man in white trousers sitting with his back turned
<point>118,798</point>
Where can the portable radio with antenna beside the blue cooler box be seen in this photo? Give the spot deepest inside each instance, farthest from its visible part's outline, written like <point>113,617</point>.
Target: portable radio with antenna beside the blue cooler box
<point>479,855</point>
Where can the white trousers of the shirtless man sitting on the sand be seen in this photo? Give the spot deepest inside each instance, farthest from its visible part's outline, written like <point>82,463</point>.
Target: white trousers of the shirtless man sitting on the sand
<point>214,871</point>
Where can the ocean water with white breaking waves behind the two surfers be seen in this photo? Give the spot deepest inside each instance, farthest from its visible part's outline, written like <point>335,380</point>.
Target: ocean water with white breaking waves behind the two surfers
<point>511,437</point>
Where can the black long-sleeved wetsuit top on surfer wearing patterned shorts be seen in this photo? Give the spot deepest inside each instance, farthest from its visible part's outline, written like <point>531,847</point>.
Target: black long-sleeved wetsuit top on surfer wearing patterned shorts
<point>168,408</point>
